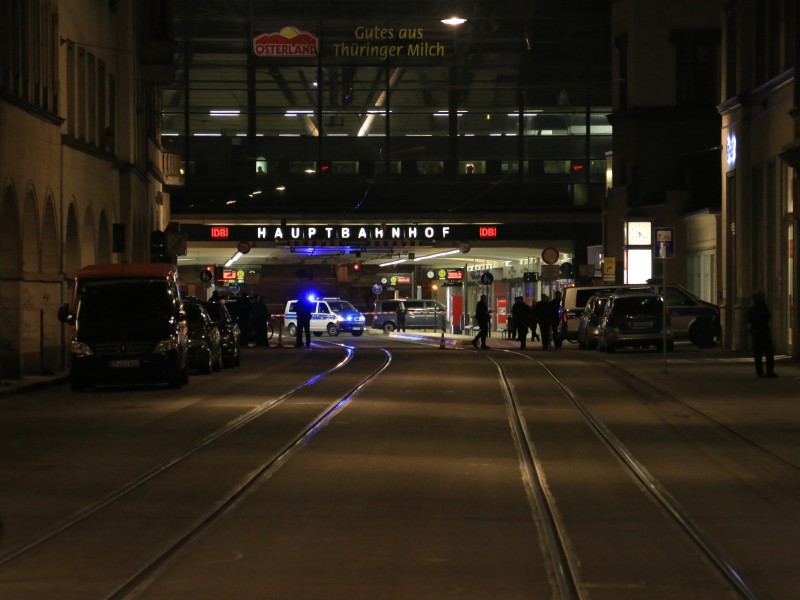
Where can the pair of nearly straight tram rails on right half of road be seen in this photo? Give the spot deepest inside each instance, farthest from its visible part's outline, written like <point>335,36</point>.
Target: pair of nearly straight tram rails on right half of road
<point>564,564</point>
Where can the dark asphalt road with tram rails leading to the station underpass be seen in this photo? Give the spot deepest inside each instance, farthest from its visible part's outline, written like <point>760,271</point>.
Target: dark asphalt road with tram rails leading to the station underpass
<point>389,467</point>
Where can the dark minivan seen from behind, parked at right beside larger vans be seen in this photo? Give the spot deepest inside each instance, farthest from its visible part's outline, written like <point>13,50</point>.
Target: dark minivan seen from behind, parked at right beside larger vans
<point>635,319</point>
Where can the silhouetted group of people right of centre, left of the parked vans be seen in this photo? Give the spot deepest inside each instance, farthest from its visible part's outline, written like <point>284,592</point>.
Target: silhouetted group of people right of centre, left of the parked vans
<point>544,315</point>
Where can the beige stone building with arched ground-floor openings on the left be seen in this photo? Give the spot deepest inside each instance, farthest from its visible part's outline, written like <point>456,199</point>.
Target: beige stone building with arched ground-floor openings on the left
<point>73,161</point>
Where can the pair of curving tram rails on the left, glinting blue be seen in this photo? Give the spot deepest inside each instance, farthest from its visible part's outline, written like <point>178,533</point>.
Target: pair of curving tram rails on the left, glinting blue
<point>97,509</point>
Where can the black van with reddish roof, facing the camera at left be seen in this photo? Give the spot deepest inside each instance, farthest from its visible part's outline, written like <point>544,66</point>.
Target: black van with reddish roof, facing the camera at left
<point>130,326</point>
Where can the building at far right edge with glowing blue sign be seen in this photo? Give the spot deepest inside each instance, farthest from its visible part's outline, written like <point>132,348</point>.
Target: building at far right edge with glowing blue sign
<point>759,223</point>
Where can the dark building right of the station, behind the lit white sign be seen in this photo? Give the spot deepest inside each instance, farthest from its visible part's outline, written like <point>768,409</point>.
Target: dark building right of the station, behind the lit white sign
<point>665,160</point>
